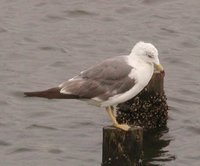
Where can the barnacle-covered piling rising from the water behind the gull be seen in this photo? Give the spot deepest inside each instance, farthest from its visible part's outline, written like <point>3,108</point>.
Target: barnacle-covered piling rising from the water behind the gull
<point>148,109</point>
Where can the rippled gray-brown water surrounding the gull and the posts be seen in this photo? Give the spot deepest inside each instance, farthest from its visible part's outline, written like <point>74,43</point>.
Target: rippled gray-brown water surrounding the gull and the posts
<point>43,43</point>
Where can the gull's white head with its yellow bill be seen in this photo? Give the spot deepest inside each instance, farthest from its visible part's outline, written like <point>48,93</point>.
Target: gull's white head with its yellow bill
<point>148,53</point>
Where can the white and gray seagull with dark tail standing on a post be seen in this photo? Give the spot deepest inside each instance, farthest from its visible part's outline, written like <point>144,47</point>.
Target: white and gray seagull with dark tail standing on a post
<point>111,82</point>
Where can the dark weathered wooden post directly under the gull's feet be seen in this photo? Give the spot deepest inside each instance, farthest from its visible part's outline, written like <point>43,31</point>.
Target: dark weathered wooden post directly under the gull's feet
<point>121,148</point>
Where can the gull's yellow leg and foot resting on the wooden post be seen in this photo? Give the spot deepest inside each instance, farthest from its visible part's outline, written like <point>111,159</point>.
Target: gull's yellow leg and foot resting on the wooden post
<point>116,124</point>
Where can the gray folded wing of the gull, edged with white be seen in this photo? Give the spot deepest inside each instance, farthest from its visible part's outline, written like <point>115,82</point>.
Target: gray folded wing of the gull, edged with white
<point>105,80</point>
